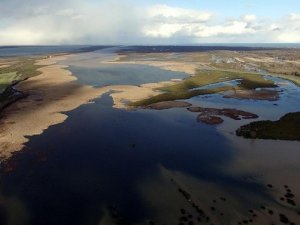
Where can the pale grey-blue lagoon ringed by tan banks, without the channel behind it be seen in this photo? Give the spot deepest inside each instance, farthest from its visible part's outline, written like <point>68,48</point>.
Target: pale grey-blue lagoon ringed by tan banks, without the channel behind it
<point>124,74</point>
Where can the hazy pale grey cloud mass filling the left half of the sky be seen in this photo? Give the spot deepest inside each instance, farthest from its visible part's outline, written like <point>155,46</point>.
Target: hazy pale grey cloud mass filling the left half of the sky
<point>107,22</point>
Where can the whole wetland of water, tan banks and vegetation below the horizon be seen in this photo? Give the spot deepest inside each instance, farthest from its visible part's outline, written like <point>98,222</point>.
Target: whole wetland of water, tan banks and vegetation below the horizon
<point>132,136</point>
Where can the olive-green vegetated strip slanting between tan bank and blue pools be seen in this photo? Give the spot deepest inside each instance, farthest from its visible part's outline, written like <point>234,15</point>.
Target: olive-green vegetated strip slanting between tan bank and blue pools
<point>182,90</point>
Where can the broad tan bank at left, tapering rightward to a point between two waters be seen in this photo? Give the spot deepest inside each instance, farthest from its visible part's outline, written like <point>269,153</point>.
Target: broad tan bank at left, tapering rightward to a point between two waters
<point>50,95</point>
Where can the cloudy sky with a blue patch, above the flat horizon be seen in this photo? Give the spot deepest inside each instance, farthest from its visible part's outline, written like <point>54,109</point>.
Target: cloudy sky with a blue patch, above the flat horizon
<point>133,22</point>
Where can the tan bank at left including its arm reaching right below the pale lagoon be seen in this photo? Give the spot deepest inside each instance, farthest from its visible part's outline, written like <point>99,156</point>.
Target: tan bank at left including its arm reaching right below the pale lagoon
<point>50,95</point>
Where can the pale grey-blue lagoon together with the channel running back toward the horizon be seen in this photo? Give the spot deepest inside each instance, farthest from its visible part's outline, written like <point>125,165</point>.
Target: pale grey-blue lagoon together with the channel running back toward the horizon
<point>93,69</point>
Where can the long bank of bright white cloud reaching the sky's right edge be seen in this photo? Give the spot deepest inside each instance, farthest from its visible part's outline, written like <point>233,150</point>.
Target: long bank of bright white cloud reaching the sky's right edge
<point>165,22</point>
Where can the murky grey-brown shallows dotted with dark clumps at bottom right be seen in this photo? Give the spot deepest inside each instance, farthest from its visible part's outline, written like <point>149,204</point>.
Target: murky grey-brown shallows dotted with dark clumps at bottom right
<point>272,173</point>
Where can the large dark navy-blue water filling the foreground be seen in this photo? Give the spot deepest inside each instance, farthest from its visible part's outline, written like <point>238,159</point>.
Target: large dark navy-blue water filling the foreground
<point>98,156</point>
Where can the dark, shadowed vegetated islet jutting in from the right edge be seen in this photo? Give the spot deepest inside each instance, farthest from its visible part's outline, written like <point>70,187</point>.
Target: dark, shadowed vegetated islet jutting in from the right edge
<point>287,128</point>
